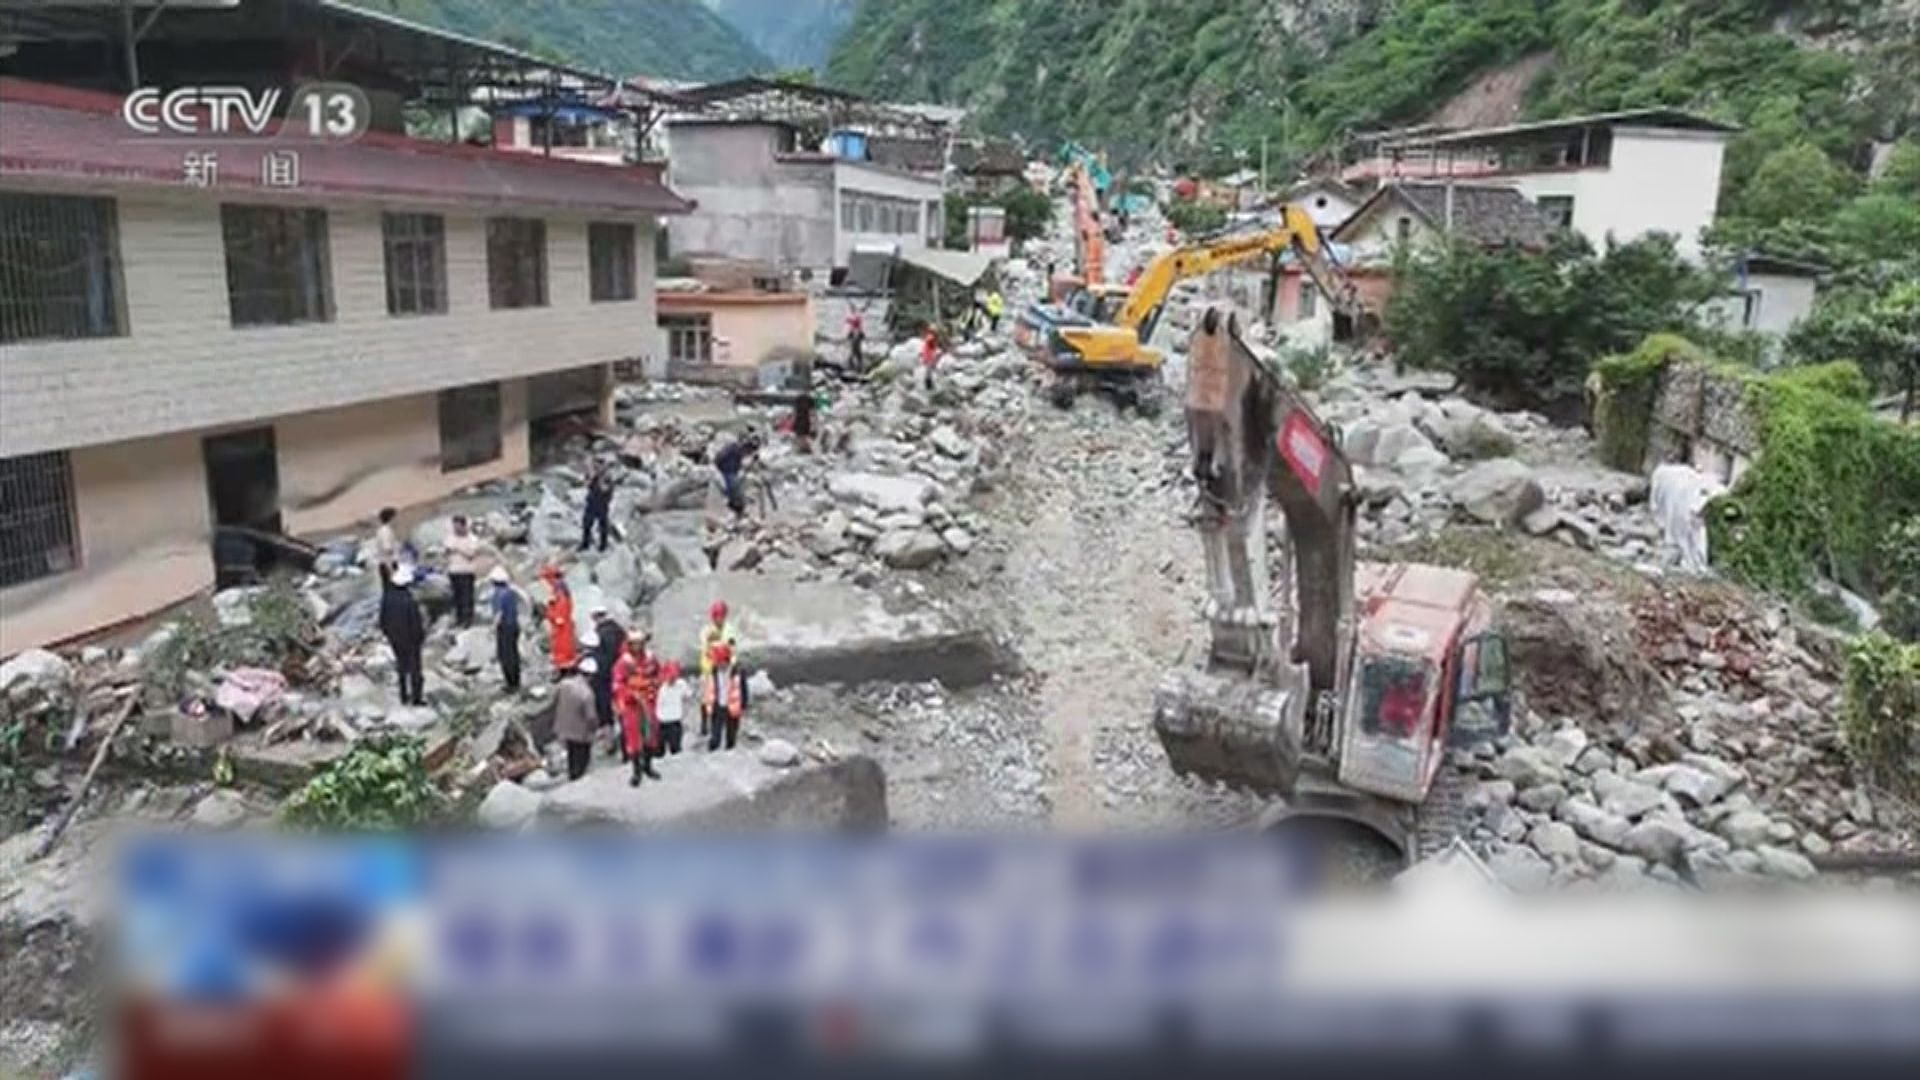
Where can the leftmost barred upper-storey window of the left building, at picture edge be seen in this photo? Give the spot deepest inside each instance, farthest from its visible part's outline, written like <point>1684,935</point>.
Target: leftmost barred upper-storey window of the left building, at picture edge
<point>59,268</point>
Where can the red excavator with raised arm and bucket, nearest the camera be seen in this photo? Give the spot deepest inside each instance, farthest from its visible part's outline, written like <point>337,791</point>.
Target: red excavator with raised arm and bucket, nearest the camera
<point>1345,697</point>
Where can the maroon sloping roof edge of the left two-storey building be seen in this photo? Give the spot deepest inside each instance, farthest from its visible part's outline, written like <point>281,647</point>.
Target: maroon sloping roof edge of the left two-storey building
<point>76,135</point>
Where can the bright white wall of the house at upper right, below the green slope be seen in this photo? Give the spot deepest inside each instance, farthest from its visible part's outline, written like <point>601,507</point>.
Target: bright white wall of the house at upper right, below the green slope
<point>1658,182</point>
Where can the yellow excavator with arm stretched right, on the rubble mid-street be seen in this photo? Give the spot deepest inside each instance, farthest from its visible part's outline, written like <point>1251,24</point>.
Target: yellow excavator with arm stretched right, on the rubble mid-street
<point>1097,337</point>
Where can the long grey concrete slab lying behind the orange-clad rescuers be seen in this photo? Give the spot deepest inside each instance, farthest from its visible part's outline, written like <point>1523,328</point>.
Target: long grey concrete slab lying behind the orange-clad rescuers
<point>827,633</point>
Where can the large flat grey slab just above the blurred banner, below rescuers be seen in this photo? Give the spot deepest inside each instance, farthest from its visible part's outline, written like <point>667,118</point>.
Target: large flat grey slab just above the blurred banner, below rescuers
<point>725,791</point>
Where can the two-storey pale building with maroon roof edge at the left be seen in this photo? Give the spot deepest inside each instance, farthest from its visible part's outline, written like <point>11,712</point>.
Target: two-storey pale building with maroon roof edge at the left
<point>226,345</point>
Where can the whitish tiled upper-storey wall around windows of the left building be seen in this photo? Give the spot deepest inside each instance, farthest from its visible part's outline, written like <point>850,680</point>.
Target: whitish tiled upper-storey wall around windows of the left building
<point>185,366</point>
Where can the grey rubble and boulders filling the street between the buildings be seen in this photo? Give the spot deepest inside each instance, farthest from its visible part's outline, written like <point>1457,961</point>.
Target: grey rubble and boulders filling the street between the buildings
<point>957,608</point>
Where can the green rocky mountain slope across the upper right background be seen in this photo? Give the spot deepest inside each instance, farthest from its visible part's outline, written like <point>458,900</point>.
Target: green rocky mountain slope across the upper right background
<point>1207,80</point>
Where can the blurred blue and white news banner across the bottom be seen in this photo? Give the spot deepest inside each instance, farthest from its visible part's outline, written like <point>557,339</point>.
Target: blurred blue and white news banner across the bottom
<point>612,956</point>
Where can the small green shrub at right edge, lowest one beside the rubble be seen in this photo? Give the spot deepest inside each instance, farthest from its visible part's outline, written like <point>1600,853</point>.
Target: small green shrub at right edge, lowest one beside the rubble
<point>1883,712</point>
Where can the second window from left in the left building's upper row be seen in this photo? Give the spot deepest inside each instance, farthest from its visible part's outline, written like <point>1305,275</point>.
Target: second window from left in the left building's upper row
<point>276,266</point>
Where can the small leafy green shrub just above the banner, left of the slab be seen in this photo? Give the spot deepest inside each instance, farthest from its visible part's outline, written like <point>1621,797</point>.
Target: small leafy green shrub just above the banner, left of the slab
<point>379,787</point>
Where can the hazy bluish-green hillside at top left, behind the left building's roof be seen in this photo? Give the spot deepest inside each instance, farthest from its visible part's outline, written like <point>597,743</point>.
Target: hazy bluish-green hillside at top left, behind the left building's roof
<point>677,39</point>
